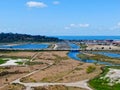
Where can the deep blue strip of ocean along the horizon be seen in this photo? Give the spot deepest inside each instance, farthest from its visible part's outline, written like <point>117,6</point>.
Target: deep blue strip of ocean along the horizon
<point>89,37</point>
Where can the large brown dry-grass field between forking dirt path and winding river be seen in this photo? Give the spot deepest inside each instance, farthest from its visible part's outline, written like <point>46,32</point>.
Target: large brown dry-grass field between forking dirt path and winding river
<point>67,70</point>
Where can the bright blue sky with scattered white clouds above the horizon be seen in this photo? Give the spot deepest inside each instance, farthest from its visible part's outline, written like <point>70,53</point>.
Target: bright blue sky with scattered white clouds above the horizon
<point>61,17</point>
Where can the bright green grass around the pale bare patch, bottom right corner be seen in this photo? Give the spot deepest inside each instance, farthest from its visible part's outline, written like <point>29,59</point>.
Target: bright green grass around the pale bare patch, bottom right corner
<point>103,84</point>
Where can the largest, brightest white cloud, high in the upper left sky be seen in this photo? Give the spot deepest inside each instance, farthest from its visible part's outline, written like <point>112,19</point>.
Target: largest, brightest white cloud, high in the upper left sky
<point>36,4</point>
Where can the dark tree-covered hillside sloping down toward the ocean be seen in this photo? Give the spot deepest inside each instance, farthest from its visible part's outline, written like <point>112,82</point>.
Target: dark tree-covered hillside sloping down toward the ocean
<point>11,37</point>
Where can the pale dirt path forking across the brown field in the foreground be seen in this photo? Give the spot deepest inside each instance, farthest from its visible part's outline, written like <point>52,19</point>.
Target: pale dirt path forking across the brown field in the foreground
<point>81,84</point>
